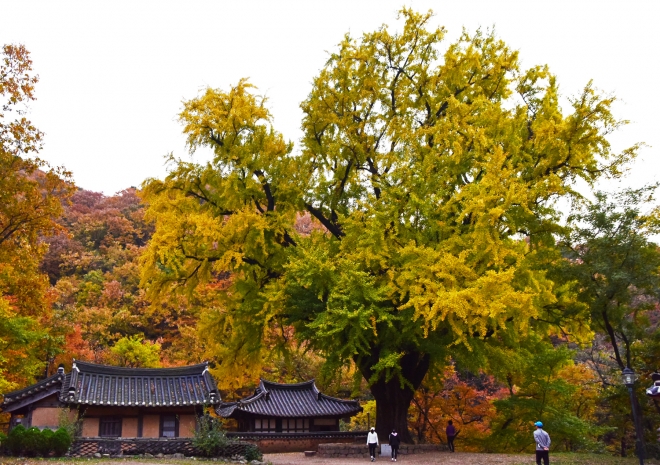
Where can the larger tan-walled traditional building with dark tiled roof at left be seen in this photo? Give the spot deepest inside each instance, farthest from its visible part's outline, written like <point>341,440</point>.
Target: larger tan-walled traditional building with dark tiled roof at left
<point>117,402</point>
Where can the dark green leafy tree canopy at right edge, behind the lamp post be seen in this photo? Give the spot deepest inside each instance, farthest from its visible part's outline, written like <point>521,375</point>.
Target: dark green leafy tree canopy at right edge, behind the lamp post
<point>617,266</point>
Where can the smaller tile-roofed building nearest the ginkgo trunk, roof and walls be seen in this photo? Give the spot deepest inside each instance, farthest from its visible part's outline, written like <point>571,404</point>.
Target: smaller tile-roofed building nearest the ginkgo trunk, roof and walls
<point>288,408</point>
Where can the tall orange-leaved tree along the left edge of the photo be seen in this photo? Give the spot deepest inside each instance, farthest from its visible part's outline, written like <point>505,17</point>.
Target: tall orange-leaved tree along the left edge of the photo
<point>31,197</point>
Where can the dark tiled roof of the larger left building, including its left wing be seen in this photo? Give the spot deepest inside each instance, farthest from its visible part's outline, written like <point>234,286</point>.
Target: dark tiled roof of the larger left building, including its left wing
<point>92,384</point>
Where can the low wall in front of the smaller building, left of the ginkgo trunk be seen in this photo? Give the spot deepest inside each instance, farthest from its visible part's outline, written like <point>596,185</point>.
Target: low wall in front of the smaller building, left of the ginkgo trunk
<point>298,442</point>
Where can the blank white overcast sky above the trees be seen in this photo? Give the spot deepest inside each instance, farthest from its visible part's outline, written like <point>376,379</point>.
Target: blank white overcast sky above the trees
<point>113,74</point>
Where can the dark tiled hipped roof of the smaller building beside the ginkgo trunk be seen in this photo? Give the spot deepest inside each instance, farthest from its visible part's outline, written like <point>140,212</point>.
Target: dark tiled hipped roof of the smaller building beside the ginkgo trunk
<point>289,400</point>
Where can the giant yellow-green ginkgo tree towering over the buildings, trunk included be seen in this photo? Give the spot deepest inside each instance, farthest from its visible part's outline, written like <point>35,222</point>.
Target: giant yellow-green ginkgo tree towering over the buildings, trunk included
<point>434,178</point>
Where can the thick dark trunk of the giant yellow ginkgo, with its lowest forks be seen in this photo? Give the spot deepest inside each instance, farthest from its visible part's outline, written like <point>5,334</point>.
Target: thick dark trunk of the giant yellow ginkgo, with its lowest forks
<point>392,399</point>
